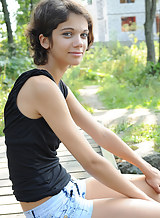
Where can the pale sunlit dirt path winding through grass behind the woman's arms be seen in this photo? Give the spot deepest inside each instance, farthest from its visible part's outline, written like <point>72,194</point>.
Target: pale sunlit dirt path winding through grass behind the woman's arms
<point>116,116</point>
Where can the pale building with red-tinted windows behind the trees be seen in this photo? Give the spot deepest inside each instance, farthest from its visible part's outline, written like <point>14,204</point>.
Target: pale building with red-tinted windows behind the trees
<point>119,19</point>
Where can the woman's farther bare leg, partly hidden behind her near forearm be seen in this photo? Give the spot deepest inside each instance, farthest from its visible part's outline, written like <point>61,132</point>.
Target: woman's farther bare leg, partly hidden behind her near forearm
<point>96,190</point>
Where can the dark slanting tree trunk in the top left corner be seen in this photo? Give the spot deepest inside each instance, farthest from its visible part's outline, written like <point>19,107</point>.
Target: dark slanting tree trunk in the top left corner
<point>7,21</point>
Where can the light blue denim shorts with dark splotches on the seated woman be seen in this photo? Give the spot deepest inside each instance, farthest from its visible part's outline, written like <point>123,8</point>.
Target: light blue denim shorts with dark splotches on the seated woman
<point>70,202</point>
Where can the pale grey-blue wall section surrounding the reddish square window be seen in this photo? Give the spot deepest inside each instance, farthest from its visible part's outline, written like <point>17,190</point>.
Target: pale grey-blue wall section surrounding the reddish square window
<point>116,10</point>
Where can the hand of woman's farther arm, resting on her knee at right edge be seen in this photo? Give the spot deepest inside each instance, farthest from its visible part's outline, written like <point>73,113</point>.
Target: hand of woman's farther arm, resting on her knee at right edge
<point>153,179</point>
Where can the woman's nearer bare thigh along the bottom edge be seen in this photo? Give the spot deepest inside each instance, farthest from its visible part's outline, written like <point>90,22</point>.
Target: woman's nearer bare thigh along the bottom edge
<point>124,208</point>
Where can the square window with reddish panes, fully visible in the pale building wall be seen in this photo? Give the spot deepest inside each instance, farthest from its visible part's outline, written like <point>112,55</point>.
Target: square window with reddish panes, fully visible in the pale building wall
<point>128,24</point>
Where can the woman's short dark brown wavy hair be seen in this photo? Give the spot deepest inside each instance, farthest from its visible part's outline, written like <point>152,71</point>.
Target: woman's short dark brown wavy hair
<point>47,15</point>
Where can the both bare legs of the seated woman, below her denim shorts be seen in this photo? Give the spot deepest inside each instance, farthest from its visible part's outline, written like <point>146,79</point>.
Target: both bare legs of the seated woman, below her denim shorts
<point>111,204</point>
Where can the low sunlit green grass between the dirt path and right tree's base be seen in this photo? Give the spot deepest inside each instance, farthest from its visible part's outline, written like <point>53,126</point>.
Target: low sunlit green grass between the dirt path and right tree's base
<point>116,95</point>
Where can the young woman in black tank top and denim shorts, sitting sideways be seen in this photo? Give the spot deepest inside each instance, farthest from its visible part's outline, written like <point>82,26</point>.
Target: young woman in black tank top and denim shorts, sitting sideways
<point>41,111</point>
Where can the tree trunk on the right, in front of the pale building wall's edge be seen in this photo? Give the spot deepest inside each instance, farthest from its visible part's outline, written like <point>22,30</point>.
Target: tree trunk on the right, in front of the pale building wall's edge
<point>150,10</point>
